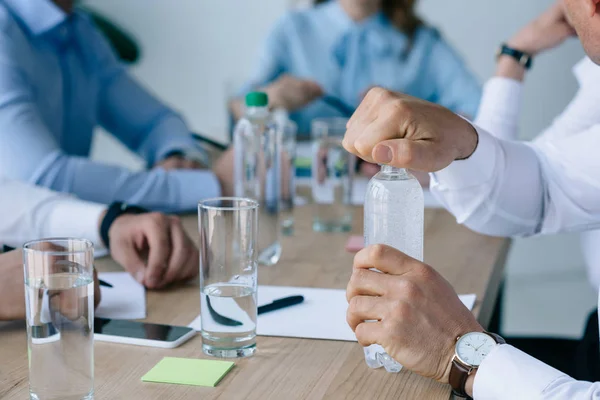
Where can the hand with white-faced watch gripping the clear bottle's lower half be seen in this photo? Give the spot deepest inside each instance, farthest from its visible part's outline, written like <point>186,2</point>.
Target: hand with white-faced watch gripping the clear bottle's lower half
<point>417,314</point>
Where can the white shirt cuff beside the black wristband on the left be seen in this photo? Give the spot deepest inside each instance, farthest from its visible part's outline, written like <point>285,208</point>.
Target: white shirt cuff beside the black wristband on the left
<point>76,218</point>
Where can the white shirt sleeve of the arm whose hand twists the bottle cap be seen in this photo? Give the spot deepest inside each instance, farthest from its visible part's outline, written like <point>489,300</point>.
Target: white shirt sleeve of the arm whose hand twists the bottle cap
<point>511,188</point>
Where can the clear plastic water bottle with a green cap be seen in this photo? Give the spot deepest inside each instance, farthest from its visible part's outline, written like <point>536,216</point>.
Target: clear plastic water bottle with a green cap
<point>257,172</point>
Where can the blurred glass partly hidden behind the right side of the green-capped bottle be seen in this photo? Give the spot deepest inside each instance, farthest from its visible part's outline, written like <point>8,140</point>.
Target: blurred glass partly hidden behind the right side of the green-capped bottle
<point>288,184</point>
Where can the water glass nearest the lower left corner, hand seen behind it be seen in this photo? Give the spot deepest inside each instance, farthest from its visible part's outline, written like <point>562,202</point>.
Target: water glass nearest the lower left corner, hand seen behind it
<point>59,294</point>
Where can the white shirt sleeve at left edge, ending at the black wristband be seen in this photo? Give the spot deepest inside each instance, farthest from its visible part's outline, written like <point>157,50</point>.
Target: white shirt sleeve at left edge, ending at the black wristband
<point>29,213</point>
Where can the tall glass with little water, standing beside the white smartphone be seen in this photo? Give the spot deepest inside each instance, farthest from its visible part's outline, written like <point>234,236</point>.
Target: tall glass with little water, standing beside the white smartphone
<point>228,276</point>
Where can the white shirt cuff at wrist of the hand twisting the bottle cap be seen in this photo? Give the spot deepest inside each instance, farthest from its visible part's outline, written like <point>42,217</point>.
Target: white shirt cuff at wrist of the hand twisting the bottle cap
<point>473,171</point>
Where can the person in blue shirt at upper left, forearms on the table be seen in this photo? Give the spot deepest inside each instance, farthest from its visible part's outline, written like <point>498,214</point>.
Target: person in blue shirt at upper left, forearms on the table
<point>59,79</point>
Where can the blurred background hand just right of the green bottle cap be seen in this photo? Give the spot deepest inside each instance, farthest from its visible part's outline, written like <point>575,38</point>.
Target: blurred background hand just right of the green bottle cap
<point>292,93</point>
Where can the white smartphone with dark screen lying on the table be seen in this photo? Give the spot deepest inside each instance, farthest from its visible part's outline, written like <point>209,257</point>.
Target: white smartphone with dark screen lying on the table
<point>140,333</point>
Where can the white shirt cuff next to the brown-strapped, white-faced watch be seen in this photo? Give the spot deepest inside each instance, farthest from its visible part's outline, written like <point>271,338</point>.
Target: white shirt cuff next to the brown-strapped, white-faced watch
<point>508,373</point>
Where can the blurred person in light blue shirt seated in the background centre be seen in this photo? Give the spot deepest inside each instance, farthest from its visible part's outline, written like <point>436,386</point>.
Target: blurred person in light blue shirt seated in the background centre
<point>344,47</point>
